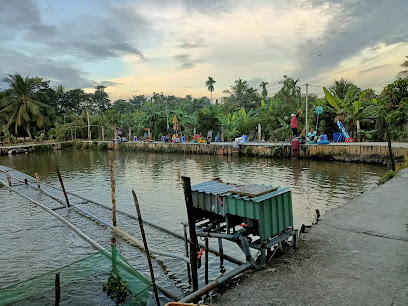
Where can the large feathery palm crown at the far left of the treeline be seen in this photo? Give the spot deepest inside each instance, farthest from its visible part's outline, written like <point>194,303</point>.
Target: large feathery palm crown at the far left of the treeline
<point>21,108</point>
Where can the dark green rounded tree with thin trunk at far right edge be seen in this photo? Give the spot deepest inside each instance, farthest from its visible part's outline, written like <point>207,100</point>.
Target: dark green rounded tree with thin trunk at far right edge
<point>393,110</point>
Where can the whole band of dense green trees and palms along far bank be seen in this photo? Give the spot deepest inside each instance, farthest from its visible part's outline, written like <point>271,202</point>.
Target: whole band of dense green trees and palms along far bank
<point>29,107</point>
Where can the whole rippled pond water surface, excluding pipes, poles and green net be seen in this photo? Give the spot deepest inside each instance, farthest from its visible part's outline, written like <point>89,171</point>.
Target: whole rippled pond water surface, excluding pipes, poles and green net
<point>36,242</point>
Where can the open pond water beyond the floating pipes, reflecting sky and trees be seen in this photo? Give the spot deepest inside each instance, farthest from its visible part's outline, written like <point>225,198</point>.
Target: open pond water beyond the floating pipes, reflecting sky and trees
<point>156,178</point>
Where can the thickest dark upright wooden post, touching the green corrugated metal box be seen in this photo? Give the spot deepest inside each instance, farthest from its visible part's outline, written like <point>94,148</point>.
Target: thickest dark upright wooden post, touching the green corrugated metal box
<point>193,235</point>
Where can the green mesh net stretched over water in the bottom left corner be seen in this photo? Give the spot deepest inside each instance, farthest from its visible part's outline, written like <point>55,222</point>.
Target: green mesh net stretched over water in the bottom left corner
<point>95,280</point>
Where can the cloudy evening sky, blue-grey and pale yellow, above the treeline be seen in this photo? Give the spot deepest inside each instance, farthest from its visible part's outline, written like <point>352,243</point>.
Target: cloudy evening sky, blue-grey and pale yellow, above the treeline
<point>173,46</point>
